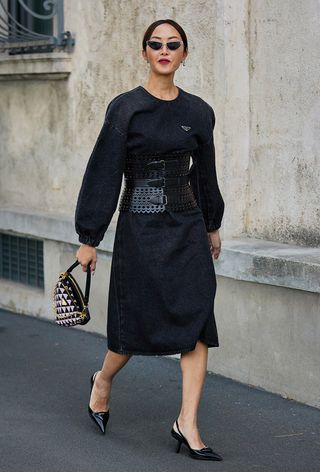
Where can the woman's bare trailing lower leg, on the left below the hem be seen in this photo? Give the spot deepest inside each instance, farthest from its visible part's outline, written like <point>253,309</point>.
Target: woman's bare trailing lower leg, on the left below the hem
<point>101,392</point>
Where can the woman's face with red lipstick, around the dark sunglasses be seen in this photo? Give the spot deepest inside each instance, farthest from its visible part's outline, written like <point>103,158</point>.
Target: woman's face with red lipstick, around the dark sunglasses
<point>165,33</point>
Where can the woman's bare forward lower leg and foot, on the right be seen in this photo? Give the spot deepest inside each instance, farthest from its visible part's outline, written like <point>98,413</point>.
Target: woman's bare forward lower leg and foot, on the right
<point>194,367</point>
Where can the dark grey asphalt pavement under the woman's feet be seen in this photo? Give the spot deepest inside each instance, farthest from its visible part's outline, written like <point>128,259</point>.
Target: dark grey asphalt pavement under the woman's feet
<point>45,427</point>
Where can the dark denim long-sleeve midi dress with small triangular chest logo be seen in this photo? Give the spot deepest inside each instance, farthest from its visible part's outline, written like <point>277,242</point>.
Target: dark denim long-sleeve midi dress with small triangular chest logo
<point>162,282</point>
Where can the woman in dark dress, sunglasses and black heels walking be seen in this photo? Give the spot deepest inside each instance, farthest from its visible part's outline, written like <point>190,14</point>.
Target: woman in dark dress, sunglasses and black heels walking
<point>162,283</point>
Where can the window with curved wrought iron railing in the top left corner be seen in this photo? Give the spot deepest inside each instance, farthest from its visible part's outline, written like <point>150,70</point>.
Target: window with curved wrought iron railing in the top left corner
<point>32,26</point>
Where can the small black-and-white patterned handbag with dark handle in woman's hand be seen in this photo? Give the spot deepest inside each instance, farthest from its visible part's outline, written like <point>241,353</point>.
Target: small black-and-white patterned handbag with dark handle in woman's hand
<point>70,306</point>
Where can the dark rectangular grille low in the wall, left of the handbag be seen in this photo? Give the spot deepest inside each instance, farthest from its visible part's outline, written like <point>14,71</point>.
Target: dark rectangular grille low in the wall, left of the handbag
<point>21,260</point>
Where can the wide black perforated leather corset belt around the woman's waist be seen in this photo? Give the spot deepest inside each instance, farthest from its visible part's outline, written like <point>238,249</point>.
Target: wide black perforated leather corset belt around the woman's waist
<point>156,183</point>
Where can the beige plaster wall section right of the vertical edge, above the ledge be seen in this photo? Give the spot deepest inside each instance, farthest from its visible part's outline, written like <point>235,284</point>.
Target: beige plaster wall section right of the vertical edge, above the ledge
<point>284,173</point>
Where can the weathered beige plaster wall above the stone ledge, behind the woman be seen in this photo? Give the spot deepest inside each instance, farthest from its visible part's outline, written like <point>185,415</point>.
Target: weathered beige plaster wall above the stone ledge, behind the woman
<point>254,62</point>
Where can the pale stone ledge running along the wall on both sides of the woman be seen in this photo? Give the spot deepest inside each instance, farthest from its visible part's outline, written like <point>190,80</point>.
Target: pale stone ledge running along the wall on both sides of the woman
<point>247,259</point>
